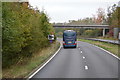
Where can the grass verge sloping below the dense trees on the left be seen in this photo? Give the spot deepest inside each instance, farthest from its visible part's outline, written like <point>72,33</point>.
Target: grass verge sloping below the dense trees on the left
<point>21,70</point>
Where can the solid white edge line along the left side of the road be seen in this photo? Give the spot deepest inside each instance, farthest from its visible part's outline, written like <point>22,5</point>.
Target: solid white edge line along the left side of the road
<point>45,63</point>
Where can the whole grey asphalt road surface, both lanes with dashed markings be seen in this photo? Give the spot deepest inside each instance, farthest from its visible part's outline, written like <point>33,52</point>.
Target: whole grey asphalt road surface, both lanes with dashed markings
<point>85,61</point>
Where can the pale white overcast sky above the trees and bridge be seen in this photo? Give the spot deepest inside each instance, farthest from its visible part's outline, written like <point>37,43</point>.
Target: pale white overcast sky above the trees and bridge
<point>64,10</point>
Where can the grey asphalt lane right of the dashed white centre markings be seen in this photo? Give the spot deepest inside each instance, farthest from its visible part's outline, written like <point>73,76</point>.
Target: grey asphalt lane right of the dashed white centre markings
<point>103,64</point>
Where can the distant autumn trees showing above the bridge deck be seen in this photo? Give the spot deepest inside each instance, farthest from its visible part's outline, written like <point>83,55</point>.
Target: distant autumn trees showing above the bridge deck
<point>99,18</point>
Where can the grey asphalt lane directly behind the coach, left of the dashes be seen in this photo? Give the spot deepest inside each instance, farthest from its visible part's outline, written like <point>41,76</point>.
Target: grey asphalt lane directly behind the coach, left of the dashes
<point>68,63</point>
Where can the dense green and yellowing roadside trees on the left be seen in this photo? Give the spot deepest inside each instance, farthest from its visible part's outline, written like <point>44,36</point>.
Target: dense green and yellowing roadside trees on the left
<point>24,32</point>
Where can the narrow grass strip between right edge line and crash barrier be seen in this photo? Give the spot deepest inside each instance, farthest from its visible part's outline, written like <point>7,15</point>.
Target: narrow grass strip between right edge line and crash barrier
<point>113,48</point>
